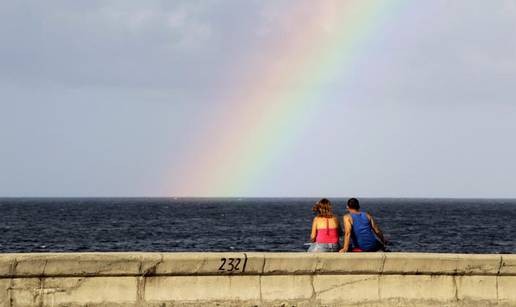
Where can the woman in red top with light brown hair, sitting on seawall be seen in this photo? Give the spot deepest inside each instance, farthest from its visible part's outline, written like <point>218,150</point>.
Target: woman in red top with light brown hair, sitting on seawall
<point>325,228</point>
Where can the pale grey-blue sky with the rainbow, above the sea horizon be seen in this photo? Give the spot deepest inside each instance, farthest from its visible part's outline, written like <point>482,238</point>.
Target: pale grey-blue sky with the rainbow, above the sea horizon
<point>230,98</point>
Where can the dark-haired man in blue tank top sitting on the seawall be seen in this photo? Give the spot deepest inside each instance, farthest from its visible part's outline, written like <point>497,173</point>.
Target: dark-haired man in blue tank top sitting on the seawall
<point>361,234</point>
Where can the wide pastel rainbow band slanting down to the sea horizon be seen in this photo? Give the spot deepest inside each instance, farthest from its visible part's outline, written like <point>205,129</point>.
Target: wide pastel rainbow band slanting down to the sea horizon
<point>281,89</point>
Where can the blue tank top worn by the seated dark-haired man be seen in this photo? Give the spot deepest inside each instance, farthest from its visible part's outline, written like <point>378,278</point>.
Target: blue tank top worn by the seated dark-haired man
<point>362,235</point>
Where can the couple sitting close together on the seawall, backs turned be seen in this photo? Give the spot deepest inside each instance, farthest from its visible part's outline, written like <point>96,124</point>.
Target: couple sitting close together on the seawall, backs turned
<point>361,234</point>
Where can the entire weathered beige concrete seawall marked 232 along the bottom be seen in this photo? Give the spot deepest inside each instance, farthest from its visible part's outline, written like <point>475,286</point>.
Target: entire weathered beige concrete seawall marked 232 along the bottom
<point>249,279</point>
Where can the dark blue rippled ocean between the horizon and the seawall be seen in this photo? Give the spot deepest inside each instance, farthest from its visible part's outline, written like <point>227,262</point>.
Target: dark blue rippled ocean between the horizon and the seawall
<point>248,224</point>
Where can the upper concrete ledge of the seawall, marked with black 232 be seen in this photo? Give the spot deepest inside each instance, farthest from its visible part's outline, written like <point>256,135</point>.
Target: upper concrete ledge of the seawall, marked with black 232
<point>173,264</point>
